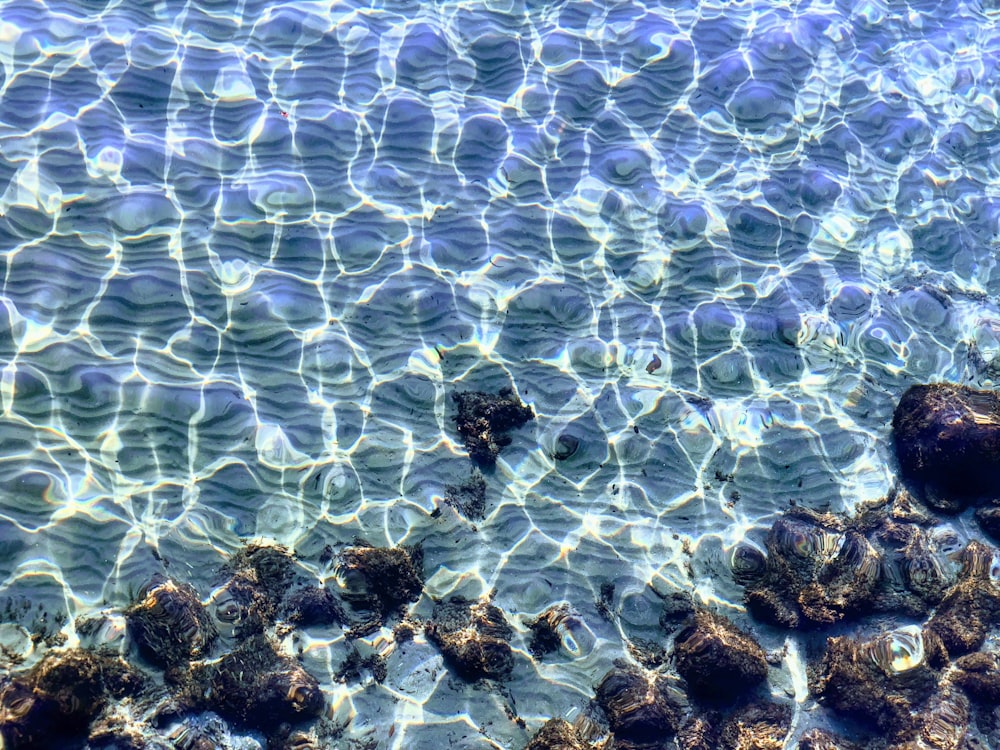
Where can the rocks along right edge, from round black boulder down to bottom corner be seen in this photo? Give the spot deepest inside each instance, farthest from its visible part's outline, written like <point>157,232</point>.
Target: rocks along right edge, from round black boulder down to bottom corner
<point>919,684</point>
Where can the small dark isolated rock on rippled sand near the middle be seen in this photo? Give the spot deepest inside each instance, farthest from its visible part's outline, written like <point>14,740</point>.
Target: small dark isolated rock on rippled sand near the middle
<point>484,421</point>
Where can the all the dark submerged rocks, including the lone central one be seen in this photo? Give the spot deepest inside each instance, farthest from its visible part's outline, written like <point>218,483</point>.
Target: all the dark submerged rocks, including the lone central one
<point>906,614</point>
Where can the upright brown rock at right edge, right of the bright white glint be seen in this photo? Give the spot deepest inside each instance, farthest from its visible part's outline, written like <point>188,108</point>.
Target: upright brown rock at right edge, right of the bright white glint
<point>972,605</point>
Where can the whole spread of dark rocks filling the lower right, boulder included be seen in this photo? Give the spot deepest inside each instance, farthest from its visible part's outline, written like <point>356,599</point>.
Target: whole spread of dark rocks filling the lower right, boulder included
<point>924,680</point>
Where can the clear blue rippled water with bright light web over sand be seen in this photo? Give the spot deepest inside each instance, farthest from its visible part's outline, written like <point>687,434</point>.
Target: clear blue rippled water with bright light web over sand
<point>249,254</point>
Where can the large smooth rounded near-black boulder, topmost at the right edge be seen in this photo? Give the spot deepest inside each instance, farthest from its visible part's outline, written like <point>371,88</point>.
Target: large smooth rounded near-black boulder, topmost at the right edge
<point>947,440</point>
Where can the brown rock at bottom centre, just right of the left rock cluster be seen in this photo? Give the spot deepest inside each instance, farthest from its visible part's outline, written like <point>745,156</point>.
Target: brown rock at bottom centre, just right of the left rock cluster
<point>474,638</point>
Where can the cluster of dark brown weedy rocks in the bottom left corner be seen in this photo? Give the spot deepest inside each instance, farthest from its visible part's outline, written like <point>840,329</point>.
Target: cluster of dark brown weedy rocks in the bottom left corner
<point>198,661</point>
